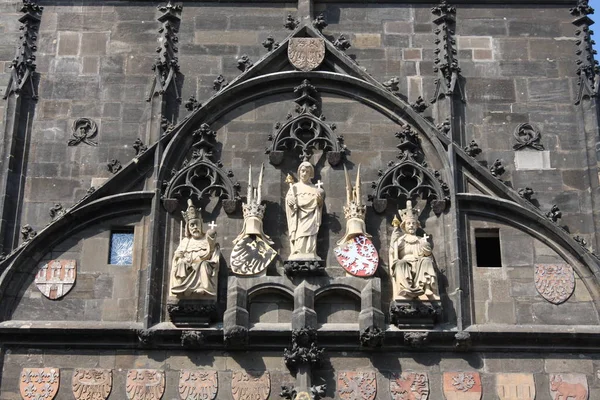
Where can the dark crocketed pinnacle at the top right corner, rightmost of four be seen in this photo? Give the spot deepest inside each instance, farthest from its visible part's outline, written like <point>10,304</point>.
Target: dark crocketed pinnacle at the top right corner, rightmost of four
<point>587,66</point>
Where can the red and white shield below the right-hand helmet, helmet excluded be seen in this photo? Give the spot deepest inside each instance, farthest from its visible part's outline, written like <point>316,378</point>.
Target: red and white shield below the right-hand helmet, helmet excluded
<point>358,256</point>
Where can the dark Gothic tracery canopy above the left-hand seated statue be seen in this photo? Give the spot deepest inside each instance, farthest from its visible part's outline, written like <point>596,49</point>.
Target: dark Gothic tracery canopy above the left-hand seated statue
<point>200,176</point>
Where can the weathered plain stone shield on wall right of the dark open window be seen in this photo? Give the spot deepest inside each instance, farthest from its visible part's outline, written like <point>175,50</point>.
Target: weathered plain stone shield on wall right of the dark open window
<point>554,282</point>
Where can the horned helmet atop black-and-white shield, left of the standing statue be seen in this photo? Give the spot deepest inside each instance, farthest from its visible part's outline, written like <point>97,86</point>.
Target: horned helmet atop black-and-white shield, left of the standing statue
<point>252,252</point>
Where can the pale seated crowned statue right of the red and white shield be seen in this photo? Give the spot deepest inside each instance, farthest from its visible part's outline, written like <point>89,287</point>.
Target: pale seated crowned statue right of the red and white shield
<point>410,259</point>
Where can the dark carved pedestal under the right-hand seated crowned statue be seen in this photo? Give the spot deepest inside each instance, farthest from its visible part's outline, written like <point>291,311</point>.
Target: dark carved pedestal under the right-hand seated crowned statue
<point>415,313</point>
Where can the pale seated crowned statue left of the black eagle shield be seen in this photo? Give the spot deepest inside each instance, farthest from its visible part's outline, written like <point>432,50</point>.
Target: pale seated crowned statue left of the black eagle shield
<point>195,267</point>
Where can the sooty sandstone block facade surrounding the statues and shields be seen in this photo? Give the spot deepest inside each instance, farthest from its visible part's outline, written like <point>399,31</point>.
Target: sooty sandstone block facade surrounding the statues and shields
<point>512,88</point>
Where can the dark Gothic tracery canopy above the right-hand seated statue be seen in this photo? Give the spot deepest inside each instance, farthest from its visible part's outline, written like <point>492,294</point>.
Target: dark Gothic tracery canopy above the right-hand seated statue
<point>409,177</point>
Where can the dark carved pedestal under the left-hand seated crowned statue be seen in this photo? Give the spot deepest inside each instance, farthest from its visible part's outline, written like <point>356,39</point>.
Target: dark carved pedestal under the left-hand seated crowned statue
<point>191,313</point>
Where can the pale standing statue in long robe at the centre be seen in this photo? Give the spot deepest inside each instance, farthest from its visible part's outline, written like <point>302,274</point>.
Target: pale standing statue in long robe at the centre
<point>304,210</point>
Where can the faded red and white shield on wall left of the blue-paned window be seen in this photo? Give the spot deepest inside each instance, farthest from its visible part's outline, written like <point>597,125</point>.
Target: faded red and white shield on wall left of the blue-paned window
<point>56,278</point>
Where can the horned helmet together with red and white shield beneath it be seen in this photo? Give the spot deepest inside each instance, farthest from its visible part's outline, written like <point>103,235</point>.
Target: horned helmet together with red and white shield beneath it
<point>355,251</point>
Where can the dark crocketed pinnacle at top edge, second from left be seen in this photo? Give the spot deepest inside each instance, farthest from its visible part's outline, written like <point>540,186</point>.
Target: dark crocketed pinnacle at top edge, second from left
<point>166,66</point>
